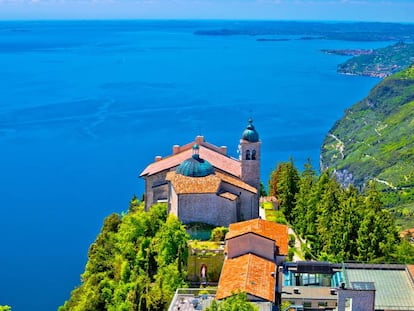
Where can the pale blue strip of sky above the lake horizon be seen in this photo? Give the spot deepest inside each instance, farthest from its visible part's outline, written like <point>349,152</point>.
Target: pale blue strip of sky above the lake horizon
<point>300,10</point>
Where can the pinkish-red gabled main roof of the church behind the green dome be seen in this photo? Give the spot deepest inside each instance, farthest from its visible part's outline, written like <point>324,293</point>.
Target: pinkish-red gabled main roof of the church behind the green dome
<point>208,152</point>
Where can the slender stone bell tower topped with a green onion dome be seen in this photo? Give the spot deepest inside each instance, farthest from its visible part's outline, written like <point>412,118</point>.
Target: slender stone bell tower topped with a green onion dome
<point>249,155</point>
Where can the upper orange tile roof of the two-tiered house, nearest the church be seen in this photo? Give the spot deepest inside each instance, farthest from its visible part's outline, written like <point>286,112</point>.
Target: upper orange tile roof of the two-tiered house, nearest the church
<point>265,228</point>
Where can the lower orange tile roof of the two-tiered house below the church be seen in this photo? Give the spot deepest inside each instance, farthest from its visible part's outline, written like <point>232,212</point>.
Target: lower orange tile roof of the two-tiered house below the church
<point>250,274</point>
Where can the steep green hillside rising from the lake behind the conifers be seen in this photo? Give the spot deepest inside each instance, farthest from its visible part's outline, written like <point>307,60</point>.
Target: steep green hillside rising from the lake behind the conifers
<point>374,140</point>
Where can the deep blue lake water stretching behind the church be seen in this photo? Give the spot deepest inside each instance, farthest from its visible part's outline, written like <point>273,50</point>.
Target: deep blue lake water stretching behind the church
<point>85,106</point>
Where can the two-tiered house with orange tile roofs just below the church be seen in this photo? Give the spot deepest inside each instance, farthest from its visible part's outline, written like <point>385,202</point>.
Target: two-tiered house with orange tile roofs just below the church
<point>254,250</point>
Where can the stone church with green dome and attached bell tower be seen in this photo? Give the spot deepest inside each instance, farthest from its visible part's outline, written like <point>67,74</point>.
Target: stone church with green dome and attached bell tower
<point>201,183</point>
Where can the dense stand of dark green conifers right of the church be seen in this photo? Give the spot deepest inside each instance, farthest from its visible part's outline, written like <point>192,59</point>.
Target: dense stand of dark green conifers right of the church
<point>338,224</point>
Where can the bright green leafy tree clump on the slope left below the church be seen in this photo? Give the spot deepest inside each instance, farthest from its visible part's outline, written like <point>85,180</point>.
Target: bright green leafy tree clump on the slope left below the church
<point>134,264</point>
